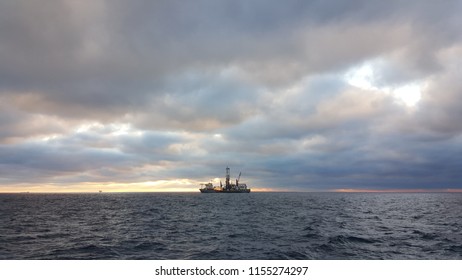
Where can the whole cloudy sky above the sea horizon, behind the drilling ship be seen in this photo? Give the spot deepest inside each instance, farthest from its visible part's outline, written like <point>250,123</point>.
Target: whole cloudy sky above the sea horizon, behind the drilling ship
<point>164,95</point>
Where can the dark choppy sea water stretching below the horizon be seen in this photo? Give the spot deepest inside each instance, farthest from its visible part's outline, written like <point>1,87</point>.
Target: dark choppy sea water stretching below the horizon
<point>231,226</point>
